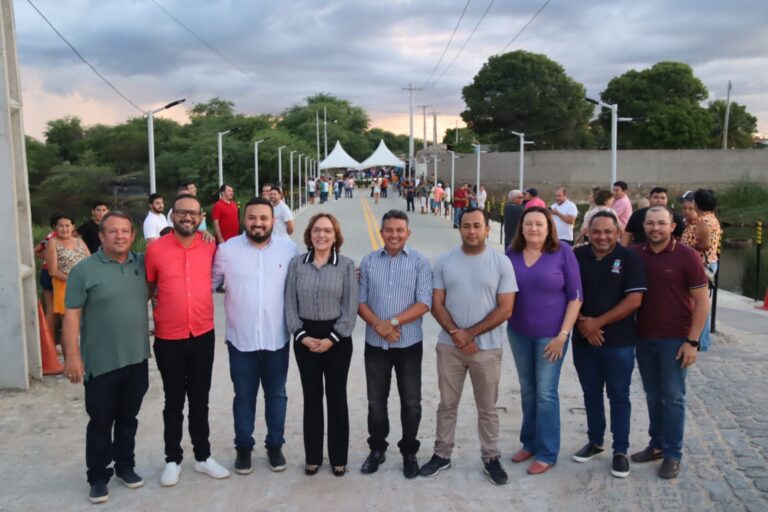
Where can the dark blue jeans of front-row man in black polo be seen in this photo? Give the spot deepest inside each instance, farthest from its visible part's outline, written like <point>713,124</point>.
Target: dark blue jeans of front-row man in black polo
<point>610,368</point>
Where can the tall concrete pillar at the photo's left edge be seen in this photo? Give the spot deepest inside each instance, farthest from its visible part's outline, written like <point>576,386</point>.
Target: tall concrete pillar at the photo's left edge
<point>20,341</point>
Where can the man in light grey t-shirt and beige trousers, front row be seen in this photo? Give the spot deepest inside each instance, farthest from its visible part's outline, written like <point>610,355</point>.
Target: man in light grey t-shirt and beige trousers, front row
<point>473,294</point>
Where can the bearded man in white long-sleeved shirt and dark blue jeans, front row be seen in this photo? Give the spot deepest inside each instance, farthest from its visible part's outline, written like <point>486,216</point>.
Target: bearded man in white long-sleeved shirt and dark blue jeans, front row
<point>253,267</point>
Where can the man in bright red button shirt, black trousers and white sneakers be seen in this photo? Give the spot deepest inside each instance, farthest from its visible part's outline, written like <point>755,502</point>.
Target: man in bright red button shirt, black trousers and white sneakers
<point>179,270</point>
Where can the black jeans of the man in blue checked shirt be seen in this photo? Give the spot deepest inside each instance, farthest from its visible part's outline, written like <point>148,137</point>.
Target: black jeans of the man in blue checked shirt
<point>378,374</point>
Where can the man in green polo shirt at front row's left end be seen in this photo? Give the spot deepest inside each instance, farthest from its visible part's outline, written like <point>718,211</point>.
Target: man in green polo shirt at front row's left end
<point>106,306</point>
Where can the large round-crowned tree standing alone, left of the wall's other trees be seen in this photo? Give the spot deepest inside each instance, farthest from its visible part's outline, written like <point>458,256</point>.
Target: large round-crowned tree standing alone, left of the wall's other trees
<point>525,92</point>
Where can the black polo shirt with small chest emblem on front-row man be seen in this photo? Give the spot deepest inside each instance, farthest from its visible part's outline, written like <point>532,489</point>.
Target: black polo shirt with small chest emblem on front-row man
<point>607,281</point>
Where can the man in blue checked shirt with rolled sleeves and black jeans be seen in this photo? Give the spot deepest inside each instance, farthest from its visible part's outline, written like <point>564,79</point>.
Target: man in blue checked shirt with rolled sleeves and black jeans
<point>395,292</point>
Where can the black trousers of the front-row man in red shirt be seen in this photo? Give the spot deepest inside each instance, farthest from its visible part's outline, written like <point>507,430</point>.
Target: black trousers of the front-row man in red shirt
<point>186,367</point>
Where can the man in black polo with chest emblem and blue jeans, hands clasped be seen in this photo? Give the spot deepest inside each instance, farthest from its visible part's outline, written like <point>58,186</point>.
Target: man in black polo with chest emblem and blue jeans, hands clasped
<point>604,341</point>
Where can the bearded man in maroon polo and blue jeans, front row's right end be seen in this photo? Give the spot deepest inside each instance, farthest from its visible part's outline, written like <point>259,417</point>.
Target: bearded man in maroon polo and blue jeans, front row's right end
<point>669,323</point>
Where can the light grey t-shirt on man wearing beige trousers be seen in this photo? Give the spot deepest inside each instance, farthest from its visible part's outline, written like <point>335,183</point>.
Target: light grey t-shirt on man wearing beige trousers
<point>471,284</point>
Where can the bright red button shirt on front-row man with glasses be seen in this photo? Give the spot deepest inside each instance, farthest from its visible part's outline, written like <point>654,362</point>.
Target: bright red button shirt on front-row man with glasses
<point>184,286</point>
